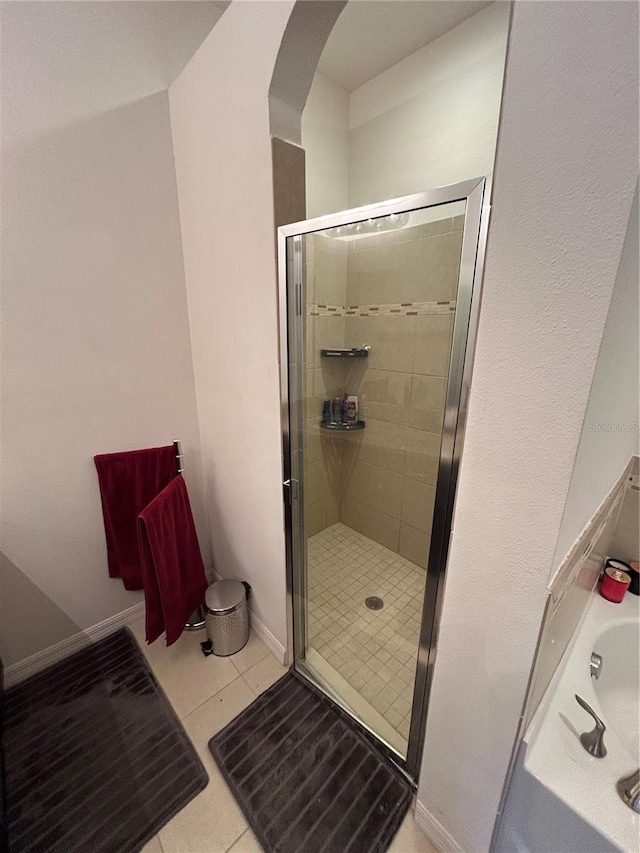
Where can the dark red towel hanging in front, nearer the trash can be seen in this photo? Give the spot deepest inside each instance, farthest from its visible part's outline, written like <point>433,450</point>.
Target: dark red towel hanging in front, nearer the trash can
<point>172,567</point>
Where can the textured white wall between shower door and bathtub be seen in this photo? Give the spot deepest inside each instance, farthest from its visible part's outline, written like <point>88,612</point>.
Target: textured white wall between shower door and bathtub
<point>565,174</point>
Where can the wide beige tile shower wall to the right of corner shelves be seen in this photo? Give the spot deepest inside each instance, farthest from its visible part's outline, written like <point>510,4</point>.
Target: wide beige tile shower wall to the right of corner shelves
<point>389,470</point>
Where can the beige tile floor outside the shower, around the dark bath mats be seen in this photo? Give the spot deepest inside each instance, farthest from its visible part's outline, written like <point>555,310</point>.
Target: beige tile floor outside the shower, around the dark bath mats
<point>207,693</point>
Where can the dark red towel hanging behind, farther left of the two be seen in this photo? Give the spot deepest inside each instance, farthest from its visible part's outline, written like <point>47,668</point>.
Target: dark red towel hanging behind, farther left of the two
<point>128,481</point>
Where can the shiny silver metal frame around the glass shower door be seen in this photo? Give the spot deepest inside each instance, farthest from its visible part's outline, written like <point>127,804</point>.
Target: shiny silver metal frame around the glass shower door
<point>291,314</point>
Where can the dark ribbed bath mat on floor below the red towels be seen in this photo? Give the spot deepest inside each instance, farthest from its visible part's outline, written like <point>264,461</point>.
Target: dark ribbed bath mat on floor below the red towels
<point>97,761</point>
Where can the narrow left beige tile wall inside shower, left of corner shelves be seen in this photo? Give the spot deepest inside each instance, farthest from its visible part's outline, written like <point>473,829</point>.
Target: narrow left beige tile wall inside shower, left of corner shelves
<point>326,281</point>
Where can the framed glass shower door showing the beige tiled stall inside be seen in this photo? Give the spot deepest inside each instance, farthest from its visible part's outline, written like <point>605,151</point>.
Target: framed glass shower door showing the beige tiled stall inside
<point>378,307</point>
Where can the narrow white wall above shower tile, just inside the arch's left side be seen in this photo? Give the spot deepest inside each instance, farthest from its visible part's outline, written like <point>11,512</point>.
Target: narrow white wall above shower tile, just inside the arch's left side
<point>325,139</point>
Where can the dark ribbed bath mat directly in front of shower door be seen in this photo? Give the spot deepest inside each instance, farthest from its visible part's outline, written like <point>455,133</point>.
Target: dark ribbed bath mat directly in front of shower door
<point>306,778</point>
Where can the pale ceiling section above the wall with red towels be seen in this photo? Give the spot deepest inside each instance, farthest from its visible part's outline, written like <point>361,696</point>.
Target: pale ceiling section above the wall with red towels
<point>65,61</point>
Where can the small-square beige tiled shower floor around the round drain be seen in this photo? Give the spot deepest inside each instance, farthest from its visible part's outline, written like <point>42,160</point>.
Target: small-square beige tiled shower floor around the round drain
<point>373,650</point>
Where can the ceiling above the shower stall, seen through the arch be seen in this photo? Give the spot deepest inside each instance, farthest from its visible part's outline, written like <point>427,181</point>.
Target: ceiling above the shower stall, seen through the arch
<point>372,35</point>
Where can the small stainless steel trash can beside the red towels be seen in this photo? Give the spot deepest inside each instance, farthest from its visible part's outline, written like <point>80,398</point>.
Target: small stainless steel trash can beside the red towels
<point>227,616</point>
